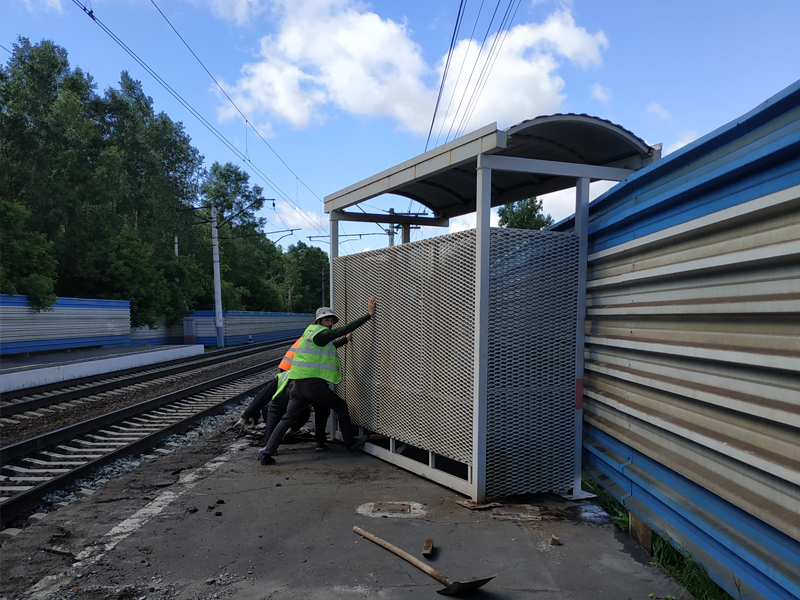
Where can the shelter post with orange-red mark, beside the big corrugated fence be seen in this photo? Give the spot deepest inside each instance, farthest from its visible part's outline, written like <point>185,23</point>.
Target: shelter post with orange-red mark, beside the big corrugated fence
<point>582,229</point>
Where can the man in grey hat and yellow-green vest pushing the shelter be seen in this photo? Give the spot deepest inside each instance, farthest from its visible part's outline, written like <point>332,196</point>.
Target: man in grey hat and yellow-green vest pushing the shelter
<point>315,365</point>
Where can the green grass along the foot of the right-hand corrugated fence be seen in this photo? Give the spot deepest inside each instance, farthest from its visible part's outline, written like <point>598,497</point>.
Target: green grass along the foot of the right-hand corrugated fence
<point>681,565</point>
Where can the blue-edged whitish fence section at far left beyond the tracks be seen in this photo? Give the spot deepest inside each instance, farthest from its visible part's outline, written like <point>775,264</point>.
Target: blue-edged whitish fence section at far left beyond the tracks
<point>71,323</point>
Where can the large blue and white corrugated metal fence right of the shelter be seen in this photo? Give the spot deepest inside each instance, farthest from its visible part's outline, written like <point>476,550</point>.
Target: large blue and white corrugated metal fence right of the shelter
<point>692,371</point>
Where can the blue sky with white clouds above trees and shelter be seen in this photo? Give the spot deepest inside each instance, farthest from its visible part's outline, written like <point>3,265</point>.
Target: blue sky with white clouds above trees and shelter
<point>315,95</point>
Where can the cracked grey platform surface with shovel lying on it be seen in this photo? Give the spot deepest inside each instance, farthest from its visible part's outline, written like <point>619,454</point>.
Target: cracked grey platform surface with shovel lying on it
<point>209,522</point>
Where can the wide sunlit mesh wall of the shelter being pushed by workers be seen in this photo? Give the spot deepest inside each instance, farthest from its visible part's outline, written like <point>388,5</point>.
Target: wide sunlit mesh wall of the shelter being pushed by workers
<point>408,373</point>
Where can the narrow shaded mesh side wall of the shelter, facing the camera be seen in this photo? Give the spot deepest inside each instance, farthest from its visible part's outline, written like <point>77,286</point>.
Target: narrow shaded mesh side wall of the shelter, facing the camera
<point>531,381</point>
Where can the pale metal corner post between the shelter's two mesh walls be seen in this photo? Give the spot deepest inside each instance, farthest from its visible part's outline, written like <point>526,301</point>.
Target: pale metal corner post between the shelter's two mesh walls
<point>482,233</point>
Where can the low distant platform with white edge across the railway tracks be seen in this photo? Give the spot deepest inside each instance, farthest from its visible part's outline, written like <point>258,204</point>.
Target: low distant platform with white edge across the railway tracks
<point>41,369</point>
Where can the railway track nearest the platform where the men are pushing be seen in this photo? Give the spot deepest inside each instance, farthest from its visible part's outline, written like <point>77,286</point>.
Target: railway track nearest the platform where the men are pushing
<point>55,460</point>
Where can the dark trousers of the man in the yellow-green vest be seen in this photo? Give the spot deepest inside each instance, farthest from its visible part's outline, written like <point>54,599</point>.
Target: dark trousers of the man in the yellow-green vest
<point>304,392</point>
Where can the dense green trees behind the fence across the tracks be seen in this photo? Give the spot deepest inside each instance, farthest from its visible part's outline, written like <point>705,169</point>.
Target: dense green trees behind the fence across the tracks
<point>95,187</point>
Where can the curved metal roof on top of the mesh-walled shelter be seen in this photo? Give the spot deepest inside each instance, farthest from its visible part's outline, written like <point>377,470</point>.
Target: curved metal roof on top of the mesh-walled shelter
<point>444,179</point>
